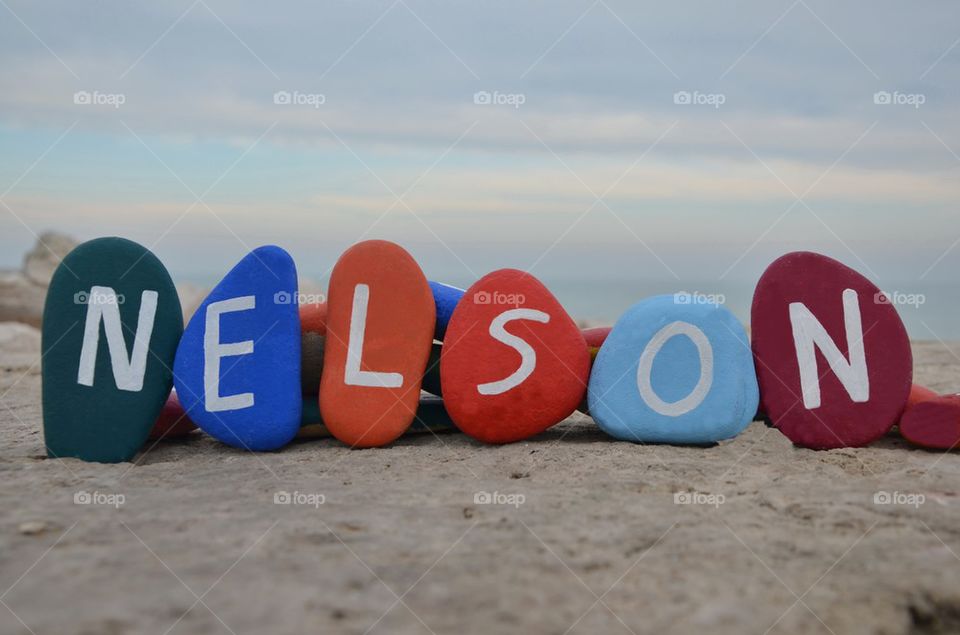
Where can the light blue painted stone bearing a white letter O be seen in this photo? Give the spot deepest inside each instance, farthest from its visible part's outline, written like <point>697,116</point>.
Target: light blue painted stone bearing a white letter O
<point>674,373</point>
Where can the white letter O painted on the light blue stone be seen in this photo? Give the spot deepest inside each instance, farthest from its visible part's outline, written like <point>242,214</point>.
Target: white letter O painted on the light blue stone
<point>644,369</point>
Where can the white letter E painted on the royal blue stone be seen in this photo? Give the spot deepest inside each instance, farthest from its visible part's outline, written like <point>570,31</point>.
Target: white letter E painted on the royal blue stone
<point>214,351</point>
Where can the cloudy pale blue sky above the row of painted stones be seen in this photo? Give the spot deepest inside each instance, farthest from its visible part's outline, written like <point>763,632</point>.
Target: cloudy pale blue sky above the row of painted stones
<point>681,143</point>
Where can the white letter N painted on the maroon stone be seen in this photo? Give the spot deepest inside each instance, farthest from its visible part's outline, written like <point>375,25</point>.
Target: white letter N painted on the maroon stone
<point>807,332</point>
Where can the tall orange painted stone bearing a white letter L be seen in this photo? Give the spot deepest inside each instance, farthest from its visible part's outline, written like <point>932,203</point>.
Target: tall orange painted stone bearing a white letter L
<point>380,326</point>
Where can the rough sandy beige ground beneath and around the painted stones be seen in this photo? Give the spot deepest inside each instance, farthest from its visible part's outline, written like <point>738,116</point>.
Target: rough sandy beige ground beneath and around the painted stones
<point>586,537</point>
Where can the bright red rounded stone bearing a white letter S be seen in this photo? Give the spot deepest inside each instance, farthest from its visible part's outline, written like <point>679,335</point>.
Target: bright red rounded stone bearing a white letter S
<point>514,363</point>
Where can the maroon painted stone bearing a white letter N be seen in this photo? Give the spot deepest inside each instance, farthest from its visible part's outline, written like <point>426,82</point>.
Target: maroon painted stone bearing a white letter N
<point>832,356</point>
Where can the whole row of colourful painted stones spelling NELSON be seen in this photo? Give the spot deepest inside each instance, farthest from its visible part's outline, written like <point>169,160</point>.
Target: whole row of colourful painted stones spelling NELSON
<point>829,361</point>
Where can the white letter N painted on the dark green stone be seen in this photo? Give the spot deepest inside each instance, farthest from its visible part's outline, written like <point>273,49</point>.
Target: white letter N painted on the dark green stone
<point>128,371</point>
